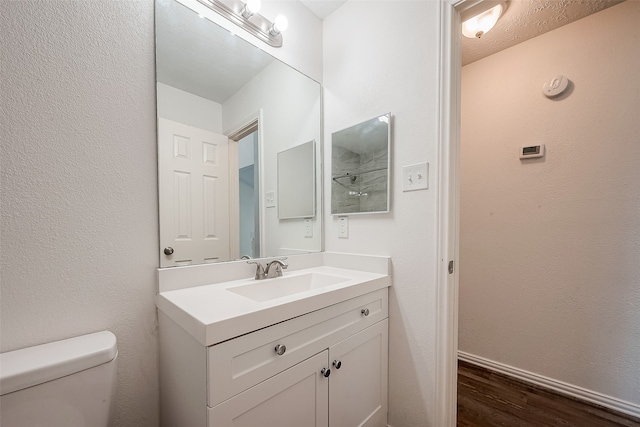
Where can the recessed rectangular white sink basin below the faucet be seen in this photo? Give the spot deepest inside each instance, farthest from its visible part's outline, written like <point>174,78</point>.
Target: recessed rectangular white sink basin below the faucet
<point>284,286</point>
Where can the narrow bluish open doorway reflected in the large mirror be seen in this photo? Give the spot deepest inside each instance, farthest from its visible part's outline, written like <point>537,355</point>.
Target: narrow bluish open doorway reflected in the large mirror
<point>248,173</point>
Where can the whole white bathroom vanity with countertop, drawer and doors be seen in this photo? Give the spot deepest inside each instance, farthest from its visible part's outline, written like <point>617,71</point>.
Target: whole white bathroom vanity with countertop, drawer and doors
<point>306,349</point>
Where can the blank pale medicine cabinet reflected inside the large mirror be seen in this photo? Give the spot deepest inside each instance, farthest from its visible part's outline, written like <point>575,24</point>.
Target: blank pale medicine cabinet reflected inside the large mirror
<point>297,182</point>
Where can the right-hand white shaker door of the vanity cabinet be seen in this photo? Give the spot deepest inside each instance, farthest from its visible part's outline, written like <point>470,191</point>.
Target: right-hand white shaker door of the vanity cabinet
<point>358,388</point>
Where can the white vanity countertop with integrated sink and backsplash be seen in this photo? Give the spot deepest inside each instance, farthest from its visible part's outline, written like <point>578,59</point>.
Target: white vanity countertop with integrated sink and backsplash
<point>226,309</point>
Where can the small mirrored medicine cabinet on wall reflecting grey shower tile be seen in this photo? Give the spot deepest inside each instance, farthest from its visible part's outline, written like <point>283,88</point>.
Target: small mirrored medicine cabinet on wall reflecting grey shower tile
<point>360,159</point>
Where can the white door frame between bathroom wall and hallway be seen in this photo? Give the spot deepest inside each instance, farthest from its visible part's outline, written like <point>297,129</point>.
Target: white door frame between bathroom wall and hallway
<point>448,201</point>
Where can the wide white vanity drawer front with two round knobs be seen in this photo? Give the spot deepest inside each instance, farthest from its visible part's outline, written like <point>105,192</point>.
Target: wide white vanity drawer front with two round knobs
<point>238,364</point>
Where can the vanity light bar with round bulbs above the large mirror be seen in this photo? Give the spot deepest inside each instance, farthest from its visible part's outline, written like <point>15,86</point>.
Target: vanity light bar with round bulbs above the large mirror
<point>246,16</point>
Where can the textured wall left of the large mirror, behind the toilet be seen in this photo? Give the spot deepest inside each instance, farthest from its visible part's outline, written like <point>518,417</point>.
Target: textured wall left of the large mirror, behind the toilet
<point>79,197</point>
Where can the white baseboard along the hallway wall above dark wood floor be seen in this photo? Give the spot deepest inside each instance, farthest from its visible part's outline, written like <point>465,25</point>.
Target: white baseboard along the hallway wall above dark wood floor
<point>555,385</point>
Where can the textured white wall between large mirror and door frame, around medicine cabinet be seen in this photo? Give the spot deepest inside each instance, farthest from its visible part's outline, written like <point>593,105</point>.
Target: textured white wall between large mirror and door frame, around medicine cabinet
<point>380,56</point>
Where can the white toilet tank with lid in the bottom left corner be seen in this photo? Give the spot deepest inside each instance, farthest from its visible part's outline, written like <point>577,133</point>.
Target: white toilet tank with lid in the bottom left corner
<point>69,383</point>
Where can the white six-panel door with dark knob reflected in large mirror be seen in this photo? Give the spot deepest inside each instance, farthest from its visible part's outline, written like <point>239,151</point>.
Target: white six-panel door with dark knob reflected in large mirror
<point>194,194</point>
